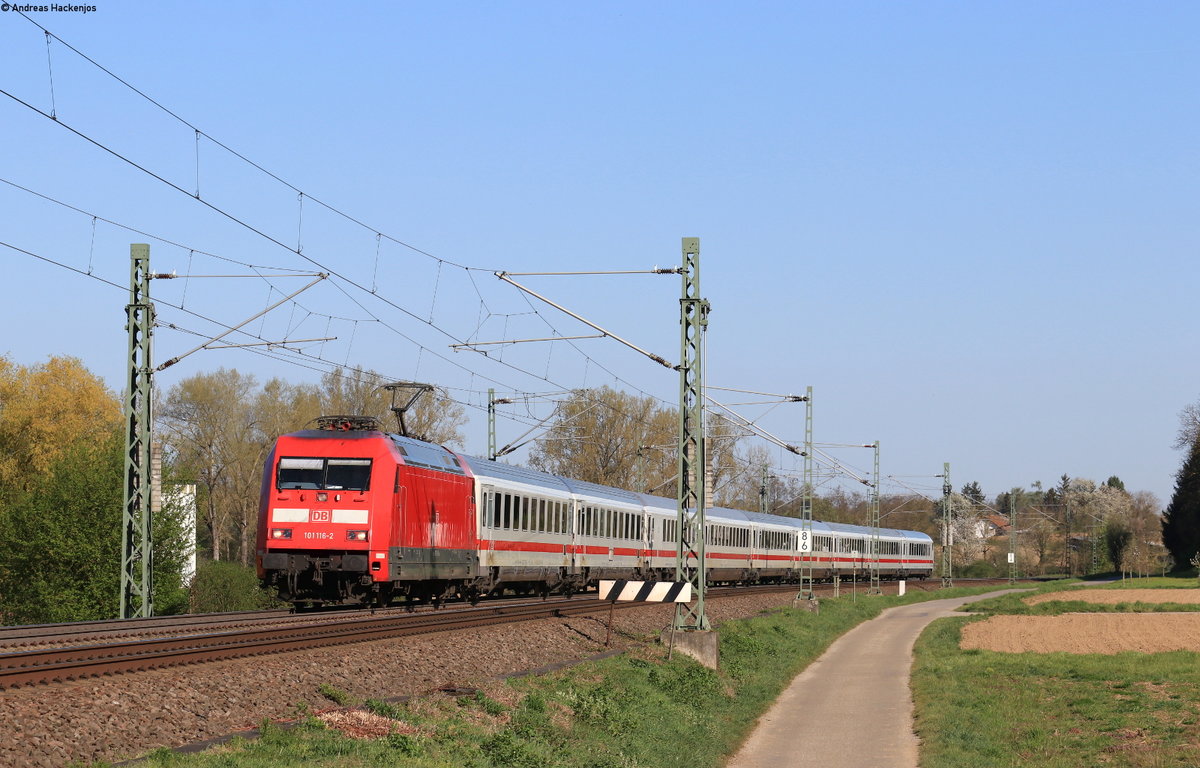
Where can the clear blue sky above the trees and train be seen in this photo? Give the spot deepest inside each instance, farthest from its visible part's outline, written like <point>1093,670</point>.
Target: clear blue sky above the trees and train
<point>970,226</point>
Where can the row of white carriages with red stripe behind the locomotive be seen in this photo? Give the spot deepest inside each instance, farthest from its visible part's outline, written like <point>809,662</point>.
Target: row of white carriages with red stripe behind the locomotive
<point>541,532</point>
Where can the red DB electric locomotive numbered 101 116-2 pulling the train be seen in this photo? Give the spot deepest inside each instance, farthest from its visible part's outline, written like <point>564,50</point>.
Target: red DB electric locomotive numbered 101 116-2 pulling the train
<point>350,514</point>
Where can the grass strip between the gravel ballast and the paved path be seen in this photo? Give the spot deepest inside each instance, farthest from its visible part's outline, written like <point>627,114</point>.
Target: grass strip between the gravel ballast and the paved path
<point>633,711</point>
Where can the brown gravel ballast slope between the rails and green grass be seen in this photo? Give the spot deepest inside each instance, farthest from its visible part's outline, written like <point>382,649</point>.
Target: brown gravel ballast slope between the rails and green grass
<point>118,718</point>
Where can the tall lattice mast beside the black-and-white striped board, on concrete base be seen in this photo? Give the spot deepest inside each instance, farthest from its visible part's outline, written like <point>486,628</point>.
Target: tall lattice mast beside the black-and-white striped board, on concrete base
<point>691,563</point>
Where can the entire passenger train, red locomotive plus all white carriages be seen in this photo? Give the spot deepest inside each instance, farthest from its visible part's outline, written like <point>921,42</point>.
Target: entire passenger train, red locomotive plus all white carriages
<point>352,514</point>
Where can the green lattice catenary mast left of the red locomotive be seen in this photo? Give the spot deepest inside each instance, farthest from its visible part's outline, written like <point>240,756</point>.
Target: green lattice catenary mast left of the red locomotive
<point>137,551</point>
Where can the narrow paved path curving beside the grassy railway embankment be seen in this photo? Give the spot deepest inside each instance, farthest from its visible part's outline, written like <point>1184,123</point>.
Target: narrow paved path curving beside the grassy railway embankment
<point>851,709</point>
